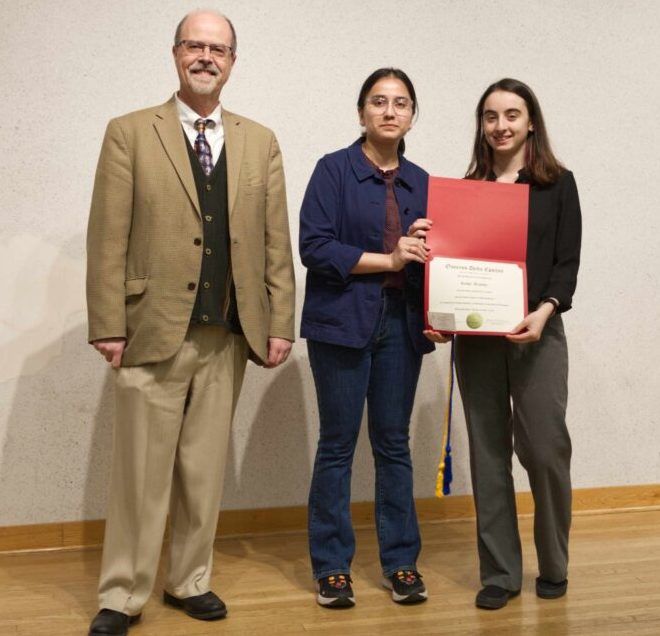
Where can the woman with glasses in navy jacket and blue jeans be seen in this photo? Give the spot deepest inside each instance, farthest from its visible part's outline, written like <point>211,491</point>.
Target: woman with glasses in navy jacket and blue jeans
<point>363,321</point>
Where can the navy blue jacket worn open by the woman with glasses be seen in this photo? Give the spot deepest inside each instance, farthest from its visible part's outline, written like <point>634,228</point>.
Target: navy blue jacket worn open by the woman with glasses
<point>343,216</point>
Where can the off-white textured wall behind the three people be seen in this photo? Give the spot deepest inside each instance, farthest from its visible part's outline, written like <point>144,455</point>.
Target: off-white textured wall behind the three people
<point>70,66</point>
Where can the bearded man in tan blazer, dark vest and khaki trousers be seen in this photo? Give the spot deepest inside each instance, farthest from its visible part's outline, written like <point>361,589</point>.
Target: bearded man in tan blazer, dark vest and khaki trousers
<point>189,273</point>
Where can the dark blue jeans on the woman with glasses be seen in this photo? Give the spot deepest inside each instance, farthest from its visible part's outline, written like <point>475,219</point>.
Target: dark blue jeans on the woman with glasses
<point>385,373</point>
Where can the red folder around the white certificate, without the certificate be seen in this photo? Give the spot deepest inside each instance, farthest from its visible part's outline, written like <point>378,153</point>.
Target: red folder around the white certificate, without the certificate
<point>477,220</point>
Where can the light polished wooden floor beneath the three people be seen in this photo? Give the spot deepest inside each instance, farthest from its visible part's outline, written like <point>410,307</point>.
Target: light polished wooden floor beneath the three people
<point>265,581</point>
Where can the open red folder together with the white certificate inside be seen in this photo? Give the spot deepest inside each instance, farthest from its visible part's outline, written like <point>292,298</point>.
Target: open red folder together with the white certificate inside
<point>476,277</point>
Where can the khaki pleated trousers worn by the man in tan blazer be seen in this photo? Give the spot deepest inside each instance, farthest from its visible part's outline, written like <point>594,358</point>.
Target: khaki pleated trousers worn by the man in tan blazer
<point>171,434</point>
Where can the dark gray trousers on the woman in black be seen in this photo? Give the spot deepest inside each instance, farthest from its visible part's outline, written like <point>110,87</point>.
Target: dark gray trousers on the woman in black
<point>514,396</point>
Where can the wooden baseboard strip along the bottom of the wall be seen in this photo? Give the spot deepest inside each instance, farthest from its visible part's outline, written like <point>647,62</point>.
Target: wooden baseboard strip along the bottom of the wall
<point>83,534</point>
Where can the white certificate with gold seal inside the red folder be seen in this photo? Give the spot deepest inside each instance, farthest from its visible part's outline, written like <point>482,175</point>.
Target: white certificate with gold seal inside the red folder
<point>475,296</point>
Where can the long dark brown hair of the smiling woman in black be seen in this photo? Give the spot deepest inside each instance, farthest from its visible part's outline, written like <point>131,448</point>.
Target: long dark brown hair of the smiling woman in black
<point>540,162</point>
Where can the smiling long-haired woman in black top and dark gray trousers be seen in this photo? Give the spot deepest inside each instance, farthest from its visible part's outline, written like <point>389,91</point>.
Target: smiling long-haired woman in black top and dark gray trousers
<point>514,388</point>
